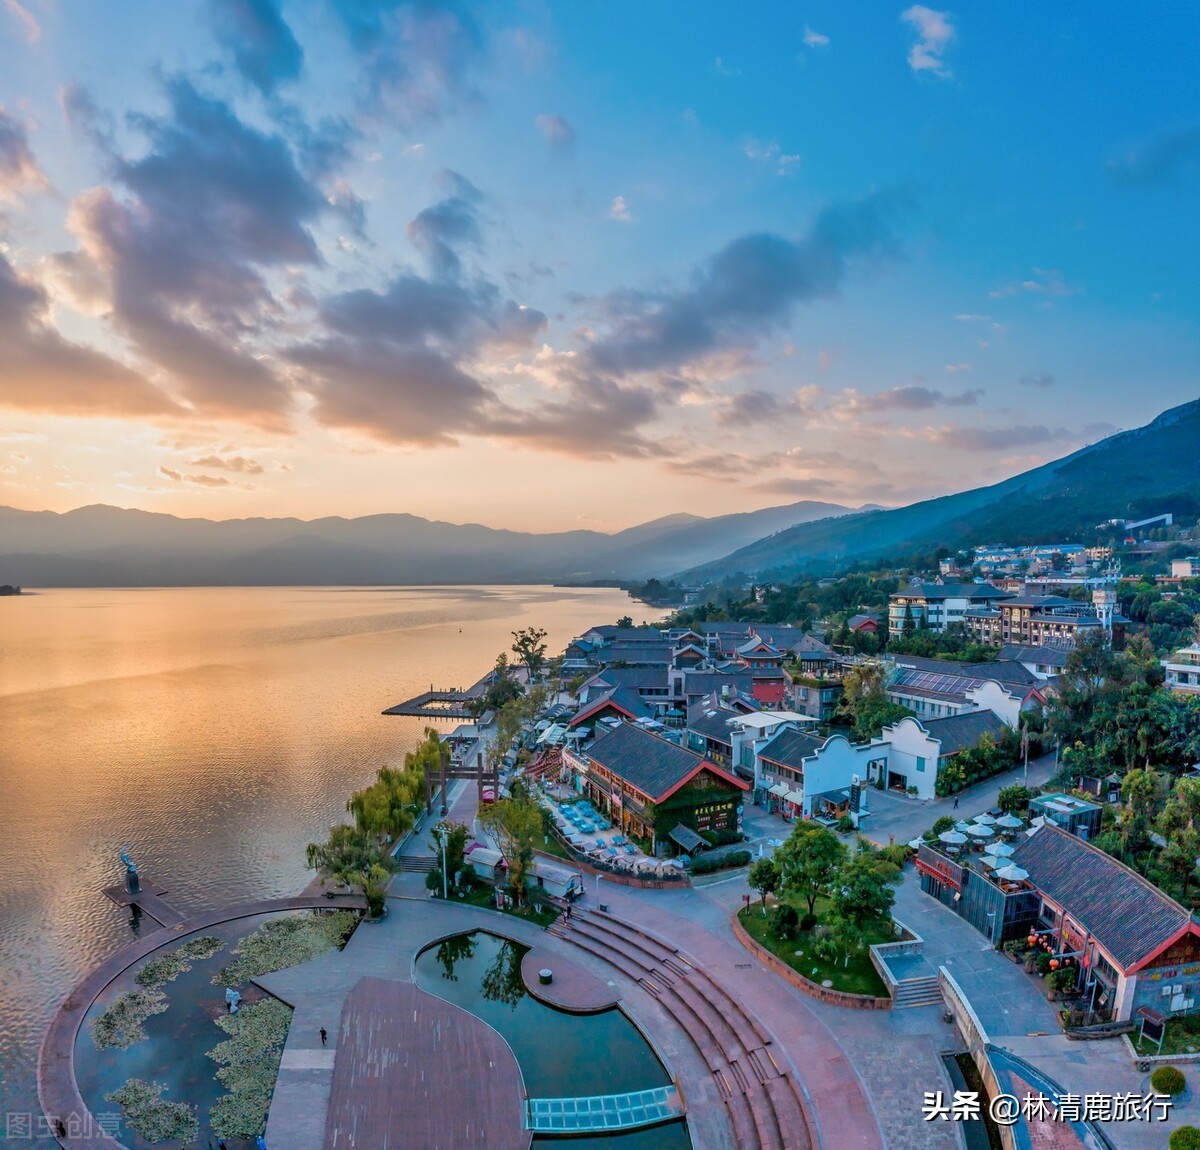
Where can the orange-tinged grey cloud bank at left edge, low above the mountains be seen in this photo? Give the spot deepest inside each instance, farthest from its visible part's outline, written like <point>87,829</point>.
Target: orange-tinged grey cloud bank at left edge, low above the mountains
<point>41,372</point>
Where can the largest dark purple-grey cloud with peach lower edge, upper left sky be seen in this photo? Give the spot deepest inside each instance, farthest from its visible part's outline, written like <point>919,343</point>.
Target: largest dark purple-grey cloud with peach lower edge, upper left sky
<point>213,207</point>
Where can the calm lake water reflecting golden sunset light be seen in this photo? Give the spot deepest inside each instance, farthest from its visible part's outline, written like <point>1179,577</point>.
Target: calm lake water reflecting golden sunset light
<point>214,730</point>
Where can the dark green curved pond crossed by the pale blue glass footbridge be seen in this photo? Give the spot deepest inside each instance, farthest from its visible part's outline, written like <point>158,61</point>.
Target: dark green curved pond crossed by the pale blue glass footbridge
<point>560,1055</point>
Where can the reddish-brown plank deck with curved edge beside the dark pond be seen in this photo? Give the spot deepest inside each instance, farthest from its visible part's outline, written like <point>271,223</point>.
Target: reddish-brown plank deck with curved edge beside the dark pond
<point>413,1070</point>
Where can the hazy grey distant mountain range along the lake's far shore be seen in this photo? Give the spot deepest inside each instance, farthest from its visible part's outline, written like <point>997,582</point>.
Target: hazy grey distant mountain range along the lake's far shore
<point>109,547</point>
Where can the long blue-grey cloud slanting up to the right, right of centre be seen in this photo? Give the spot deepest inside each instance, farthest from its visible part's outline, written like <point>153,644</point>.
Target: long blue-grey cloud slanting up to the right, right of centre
<point>745,291</point>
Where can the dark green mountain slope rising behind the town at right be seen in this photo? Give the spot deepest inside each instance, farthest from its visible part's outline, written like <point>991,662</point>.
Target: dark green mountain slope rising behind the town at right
<point>1132,475</point>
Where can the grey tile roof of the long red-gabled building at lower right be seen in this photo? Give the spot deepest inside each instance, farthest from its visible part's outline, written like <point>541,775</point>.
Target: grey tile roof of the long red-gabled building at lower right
<point>1125,913</point>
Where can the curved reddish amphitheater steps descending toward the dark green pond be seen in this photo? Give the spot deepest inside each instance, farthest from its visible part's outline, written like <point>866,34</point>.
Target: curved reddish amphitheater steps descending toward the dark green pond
<point>764,1103</point>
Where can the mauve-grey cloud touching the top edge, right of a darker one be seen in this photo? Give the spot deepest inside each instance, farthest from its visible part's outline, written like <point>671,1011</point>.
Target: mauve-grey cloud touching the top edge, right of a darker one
<point>415,57</point>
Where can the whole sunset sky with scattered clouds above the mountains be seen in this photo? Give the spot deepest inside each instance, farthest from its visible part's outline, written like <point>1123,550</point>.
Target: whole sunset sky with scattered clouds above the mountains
<point>556,266</point>
